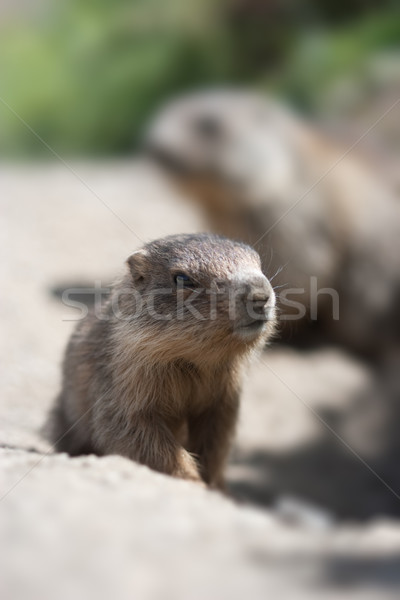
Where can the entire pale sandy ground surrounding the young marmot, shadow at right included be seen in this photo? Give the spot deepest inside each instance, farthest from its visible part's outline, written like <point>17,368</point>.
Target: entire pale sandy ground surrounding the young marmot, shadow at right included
<point>313,475</point>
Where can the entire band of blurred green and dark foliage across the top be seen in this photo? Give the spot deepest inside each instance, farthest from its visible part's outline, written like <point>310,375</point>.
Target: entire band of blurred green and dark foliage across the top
<point>86,75</point>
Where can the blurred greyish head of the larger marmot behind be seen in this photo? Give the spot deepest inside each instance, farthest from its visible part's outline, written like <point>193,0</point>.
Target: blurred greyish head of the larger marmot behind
<point>236,142</point>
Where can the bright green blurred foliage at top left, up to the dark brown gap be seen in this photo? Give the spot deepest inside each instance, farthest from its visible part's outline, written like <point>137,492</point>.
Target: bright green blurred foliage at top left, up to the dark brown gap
<point>87,75</point>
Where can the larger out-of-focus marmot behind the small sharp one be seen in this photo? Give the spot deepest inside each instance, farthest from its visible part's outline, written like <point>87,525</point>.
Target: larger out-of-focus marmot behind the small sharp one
<point>318,220</point>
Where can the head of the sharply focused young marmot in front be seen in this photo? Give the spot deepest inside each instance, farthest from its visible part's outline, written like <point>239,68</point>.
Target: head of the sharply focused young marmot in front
<point>198,297</point>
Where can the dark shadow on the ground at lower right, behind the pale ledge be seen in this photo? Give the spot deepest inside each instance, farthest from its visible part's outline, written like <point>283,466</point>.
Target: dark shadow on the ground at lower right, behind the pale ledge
<point>351,471</point>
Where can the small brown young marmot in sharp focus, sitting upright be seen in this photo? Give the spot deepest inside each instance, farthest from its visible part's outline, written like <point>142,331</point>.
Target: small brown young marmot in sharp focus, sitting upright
<point>166,392</point>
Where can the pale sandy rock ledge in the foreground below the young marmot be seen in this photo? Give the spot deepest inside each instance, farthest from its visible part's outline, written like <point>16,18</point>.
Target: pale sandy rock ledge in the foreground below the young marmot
<point>108,528</point>
